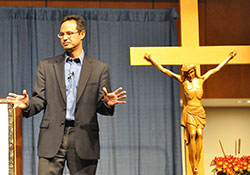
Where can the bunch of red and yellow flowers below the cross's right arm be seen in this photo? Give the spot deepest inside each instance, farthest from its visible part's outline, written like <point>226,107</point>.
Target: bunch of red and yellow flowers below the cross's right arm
<point>230,165</point>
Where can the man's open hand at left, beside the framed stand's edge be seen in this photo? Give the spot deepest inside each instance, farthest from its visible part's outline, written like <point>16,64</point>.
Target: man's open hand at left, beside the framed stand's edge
<point>20,101</point>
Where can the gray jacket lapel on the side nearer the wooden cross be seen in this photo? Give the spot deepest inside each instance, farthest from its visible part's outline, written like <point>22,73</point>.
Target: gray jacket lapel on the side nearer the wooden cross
<point>85,74</point>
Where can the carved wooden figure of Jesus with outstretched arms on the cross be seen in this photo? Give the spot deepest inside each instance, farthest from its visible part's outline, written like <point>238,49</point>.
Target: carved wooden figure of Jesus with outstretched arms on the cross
<point>193,114</point>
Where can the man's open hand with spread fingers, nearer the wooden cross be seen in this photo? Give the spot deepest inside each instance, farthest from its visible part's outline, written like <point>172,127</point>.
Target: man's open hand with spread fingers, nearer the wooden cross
<point>114,98</point>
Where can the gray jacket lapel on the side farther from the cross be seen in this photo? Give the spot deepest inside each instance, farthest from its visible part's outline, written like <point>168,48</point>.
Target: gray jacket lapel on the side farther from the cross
<point>59,69</point>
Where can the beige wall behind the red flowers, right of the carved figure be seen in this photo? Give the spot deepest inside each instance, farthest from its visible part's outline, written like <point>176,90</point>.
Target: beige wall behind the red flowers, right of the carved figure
<point>226,124</point>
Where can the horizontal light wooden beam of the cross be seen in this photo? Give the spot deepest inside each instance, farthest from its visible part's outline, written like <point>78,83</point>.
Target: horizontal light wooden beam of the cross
<point>189,55</point>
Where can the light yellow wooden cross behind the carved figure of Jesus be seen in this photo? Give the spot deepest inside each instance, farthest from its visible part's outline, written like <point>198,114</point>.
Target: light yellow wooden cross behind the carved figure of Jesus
<point>189,53</point>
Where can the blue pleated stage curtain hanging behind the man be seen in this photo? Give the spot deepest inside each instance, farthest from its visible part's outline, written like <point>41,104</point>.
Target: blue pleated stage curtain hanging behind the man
<point>143,137</point>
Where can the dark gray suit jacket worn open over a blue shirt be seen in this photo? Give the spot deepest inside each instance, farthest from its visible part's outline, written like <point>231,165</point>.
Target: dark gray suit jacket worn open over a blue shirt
<point>49,95</point>
